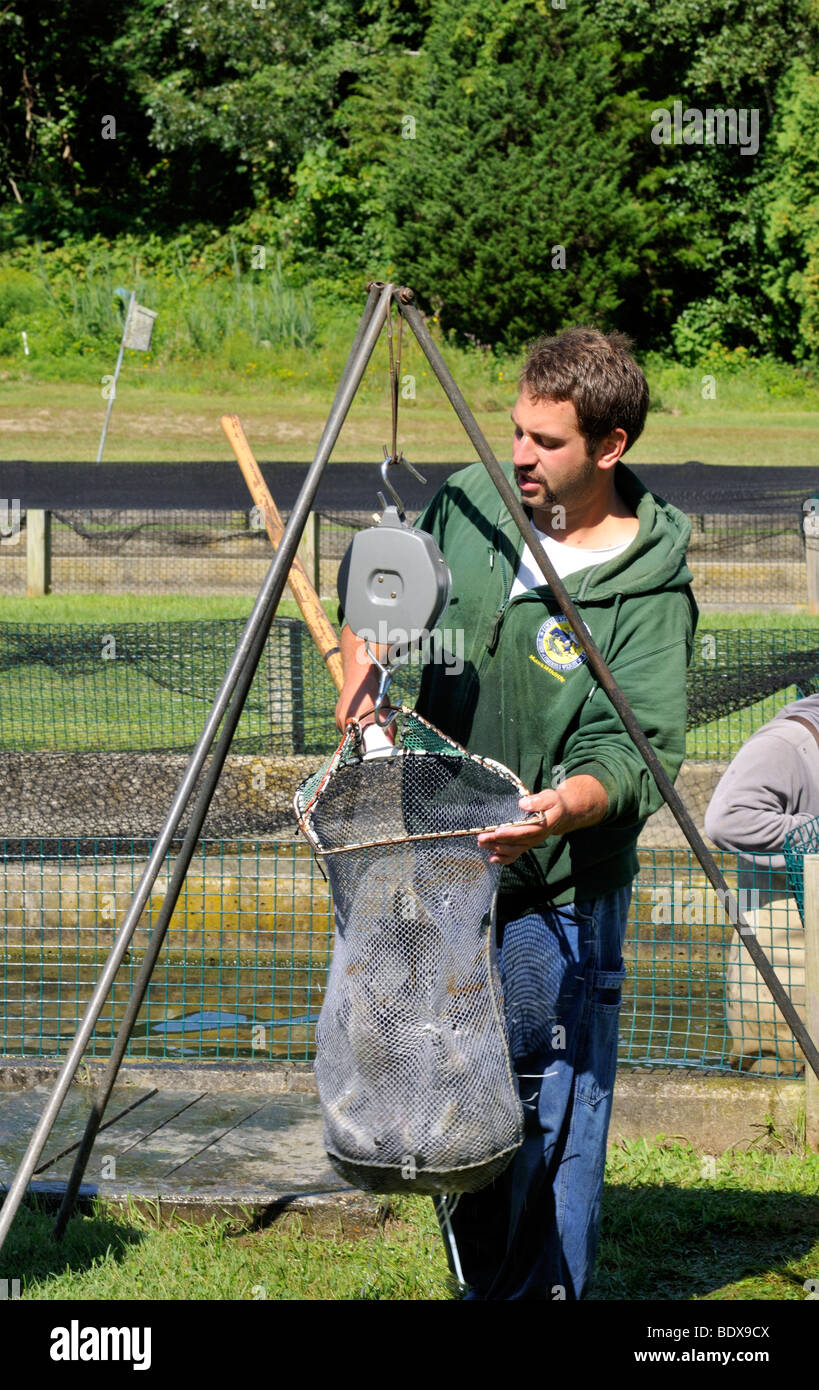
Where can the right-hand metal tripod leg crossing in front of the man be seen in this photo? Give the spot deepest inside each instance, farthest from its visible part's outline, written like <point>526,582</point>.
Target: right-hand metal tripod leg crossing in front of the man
<point>599,665</point>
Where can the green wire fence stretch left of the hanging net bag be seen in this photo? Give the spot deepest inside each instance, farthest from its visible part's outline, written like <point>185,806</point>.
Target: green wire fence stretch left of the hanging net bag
<point>241,974</point>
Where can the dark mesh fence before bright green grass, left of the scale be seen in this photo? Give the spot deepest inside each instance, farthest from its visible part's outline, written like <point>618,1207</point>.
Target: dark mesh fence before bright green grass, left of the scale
<point>149,686</point>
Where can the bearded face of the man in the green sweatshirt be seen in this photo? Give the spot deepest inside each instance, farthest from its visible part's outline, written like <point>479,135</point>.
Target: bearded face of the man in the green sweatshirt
<point>551,458</point>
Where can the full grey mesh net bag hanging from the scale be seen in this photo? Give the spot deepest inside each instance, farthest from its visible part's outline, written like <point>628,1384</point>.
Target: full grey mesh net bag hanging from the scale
<point>412,1057</point>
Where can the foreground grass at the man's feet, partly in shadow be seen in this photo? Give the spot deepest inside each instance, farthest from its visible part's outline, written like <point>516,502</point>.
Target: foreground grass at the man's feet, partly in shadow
<point>668,1234</point>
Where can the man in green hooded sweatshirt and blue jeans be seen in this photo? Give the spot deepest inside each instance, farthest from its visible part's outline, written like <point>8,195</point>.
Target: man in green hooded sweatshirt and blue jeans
<point>526,697</point>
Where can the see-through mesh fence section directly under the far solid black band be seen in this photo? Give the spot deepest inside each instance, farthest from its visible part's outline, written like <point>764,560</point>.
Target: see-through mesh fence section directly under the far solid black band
<point>736,558</point>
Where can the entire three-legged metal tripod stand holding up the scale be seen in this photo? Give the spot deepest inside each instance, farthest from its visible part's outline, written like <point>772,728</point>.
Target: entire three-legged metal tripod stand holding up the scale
<point>229,707</point>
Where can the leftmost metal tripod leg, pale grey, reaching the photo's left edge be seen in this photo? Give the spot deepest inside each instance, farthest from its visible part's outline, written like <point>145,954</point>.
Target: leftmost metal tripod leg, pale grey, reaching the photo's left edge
<point>251,643</point>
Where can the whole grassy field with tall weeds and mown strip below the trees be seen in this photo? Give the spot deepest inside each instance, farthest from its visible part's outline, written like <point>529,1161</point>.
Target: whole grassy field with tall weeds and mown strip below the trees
<point>272,345</point>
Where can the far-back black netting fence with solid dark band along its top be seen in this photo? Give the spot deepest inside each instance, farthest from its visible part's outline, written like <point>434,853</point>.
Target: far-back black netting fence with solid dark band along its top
<point>191,528</point>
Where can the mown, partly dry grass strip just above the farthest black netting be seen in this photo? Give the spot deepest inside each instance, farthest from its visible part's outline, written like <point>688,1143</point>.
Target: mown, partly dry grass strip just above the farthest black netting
<point>168,420</point>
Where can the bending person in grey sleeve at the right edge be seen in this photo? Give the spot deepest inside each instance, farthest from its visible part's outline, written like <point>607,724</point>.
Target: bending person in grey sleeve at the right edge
<point>771,787</point>
